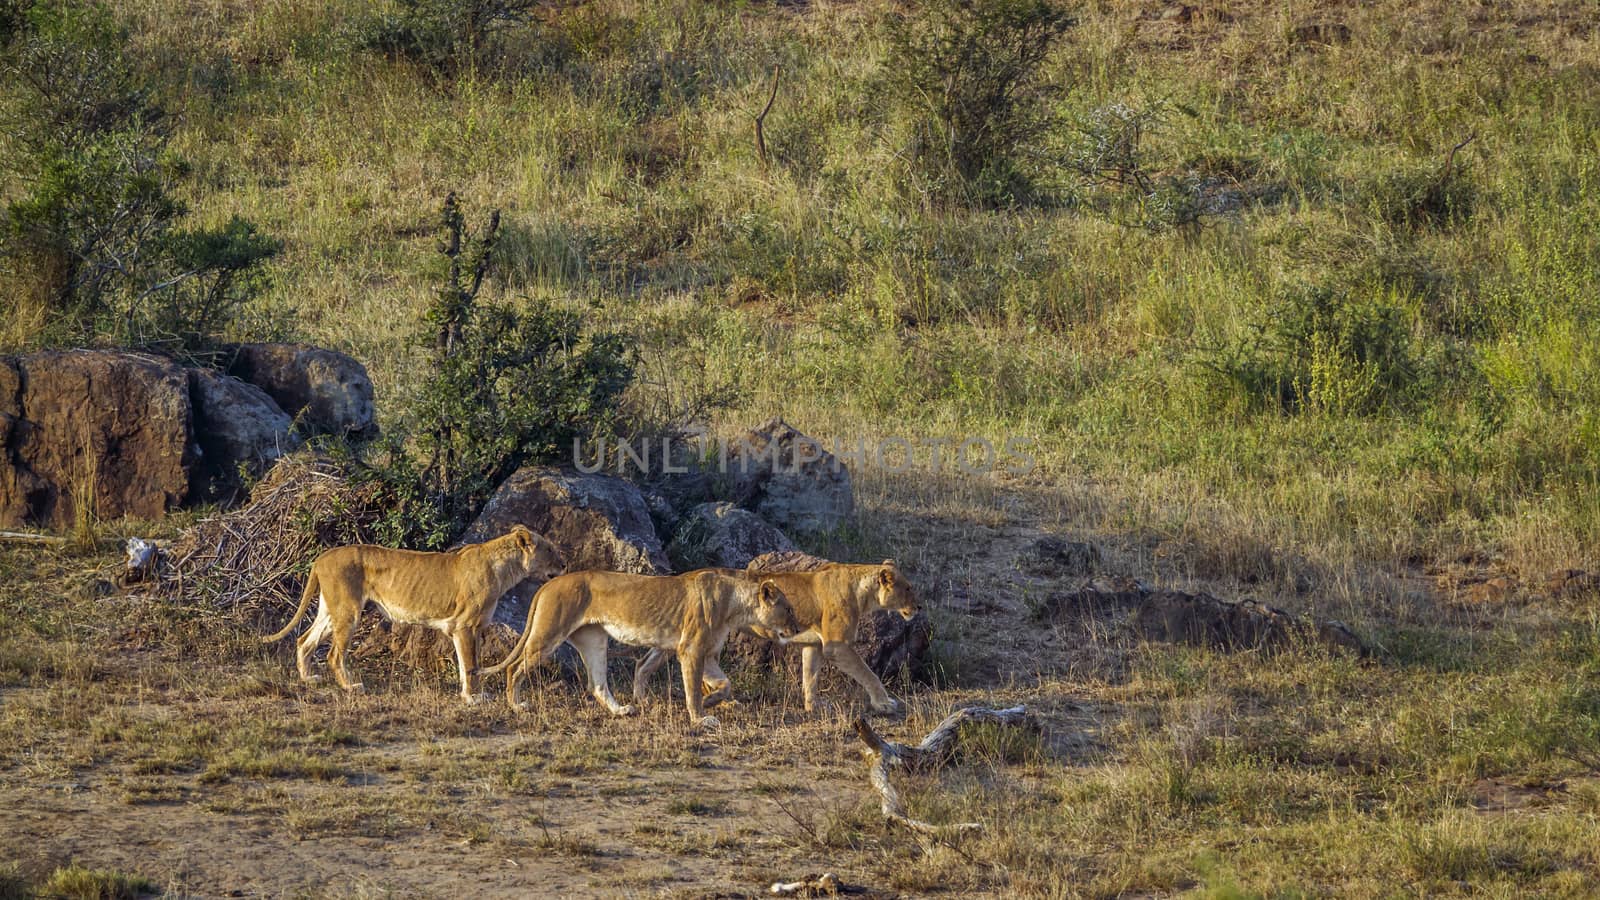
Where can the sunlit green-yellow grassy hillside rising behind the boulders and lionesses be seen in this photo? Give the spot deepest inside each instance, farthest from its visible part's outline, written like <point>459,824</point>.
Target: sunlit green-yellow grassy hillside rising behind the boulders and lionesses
<point>1375,348</point>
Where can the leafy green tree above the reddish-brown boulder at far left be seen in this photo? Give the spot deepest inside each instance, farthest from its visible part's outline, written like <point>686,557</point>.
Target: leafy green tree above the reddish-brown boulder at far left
<point>94,231</point>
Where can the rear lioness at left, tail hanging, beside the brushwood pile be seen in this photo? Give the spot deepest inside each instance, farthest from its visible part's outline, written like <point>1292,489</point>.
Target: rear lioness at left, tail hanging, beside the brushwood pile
<point>454,592</point>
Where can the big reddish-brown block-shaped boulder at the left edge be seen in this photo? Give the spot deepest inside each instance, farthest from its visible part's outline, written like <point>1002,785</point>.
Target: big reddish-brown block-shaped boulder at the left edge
<point>106,427</point>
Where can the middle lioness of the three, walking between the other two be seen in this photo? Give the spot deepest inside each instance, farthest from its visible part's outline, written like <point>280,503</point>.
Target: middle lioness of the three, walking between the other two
<point>690,614</point>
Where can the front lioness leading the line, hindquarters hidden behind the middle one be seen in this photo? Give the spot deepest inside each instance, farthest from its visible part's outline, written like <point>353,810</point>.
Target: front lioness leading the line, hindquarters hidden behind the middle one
<point>830,605</point>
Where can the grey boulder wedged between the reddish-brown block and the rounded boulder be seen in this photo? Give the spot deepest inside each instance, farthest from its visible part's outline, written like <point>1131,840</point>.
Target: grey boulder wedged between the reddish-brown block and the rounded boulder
<point>238,427</point>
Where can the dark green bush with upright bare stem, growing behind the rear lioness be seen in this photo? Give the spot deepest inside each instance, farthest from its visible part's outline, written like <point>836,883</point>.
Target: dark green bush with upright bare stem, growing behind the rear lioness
<point>505,387</point>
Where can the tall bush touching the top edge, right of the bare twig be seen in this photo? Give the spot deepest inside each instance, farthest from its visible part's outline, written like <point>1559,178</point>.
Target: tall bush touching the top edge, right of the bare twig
<point>970,74</point>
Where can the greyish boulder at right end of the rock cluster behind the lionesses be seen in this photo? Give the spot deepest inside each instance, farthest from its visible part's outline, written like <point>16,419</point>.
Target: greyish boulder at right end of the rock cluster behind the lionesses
<point>790,480</point>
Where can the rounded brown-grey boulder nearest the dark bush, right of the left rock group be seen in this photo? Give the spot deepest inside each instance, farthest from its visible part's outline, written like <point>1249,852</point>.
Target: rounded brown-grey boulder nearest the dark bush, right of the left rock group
<point>326,392</point>
